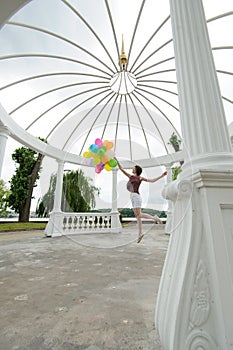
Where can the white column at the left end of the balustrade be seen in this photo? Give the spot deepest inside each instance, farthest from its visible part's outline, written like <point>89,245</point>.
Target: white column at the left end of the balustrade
<point>54,226</point>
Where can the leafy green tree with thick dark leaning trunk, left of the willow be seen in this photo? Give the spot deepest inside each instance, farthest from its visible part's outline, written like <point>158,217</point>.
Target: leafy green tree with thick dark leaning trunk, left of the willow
<point>28,166</point>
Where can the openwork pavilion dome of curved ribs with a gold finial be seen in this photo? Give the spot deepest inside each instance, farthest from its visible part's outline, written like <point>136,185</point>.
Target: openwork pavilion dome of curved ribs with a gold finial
<point>86,92</point>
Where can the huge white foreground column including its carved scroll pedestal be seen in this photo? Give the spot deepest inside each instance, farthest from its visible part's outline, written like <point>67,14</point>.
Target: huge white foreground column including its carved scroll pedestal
<point>195,299</point>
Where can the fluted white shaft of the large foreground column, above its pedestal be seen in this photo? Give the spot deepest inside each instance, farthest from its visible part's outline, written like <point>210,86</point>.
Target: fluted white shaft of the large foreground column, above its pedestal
<point>203,121</point>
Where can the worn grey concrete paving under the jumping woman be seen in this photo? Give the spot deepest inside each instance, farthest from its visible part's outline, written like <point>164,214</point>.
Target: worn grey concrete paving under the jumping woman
<point>81,292</point>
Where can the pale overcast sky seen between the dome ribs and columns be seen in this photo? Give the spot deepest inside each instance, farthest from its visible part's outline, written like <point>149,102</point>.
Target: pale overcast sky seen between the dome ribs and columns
<point>41,13</point>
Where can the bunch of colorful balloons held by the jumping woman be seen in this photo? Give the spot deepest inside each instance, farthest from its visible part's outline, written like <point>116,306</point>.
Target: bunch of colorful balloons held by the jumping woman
<point>100,155</point>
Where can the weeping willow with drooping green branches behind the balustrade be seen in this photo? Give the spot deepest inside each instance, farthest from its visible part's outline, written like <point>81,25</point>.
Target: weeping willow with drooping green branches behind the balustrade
<point>78,194</point>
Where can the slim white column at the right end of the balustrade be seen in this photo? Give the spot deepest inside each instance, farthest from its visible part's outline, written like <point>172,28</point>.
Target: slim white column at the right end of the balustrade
<point>115,221</point>
